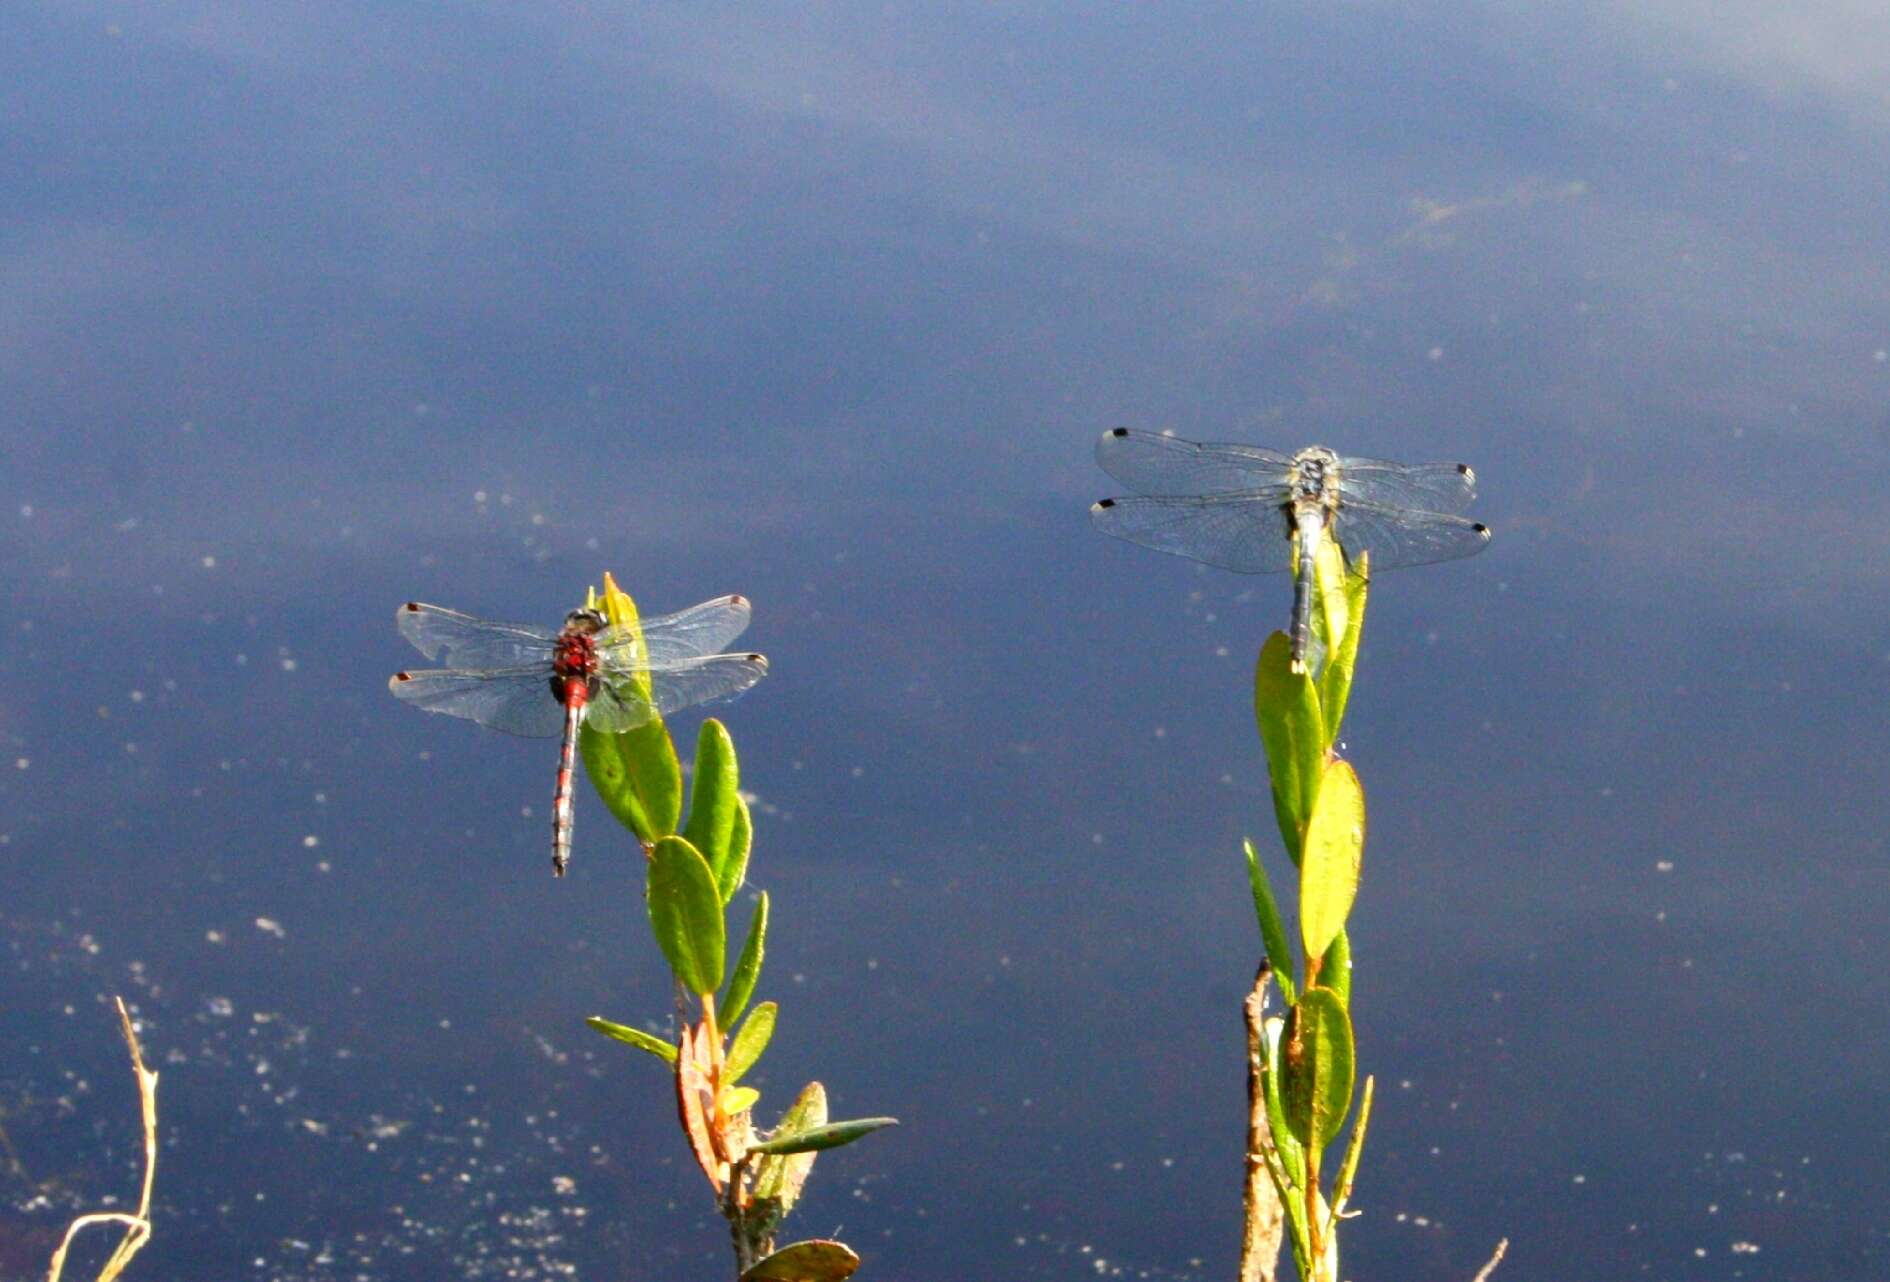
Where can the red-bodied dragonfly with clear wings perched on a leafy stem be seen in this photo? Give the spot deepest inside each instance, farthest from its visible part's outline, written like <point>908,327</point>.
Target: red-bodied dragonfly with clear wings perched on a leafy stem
<point>541,684</point>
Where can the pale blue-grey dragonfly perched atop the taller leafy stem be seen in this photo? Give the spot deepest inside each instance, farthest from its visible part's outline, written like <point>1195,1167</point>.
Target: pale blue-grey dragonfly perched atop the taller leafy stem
<point>1263,511</point>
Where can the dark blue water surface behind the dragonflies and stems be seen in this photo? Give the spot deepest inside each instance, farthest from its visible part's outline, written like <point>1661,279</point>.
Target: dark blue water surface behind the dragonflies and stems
<point>311,313</point>
